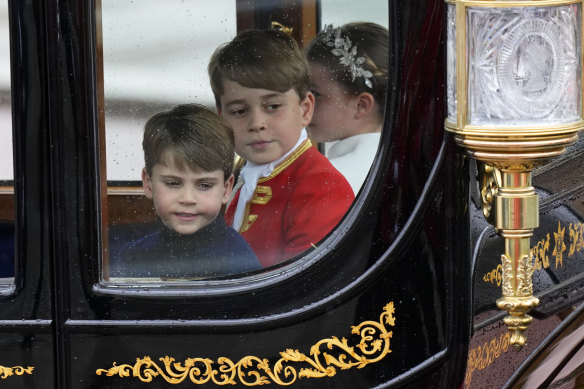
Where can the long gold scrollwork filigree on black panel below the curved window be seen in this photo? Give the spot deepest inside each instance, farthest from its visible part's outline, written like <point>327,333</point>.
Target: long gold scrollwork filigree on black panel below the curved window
<point>253,371</point>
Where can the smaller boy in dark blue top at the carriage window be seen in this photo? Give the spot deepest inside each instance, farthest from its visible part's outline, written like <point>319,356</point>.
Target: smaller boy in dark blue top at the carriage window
<point>188,153</point>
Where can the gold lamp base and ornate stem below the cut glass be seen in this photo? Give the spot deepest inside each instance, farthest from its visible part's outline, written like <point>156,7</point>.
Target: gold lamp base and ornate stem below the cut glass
<point>515,206</point>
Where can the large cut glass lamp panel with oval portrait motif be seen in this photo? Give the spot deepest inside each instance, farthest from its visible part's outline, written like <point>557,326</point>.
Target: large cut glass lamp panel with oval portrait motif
<point>524,65</point>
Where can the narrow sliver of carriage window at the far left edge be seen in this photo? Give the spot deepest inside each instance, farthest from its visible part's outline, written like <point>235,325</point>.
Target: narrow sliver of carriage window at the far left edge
<point>6,162</point>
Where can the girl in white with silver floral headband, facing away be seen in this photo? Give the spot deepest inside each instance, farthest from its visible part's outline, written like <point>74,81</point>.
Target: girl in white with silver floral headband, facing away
<point>349,68</point>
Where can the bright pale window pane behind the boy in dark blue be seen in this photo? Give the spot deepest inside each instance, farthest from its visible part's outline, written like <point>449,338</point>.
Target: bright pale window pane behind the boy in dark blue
<point>151,64</point>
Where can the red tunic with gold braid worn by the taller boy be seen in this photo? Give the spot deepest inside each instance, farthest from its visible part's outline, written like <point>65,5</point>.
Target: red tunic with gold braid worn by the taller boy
<point>291,210</point>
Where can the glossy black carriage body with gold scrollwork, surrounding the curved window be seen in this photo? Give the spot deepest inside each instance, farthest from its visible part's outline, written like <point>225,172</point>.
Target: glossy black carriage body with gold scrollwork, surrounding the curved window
<point>399,265</point>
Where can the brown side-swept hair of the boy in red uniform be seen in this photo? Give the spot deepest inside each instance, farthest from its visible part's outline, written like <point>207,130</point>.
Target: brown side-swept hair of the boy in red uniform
<point>260,59</point>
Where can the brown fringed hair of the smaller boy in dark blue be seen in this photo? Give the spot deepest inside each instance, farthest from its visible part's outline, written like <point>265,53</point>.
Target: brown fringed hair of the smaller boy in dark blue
<point>193,135</point>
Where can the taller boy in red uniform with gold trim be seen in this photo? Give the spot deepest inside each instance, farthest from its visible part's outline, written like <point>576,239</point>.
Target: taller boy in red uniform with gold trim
<point>291,197</point>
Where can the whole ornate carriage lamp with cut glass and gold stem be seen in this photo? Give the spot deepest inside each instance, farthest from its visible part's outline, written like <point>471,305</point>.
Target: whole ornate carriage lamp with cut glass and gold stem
<point>514,96</point>
